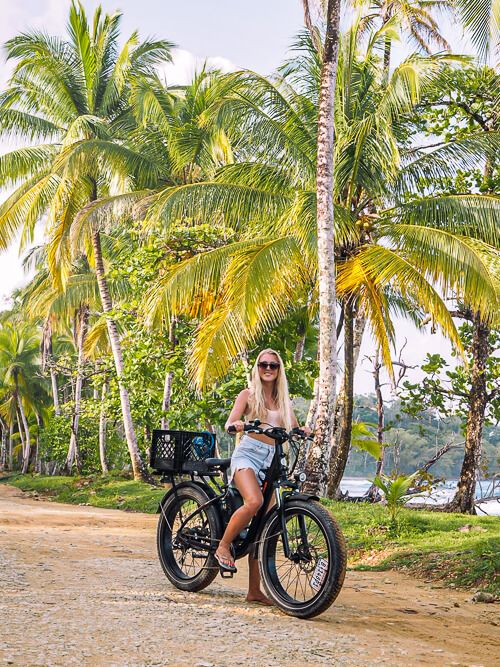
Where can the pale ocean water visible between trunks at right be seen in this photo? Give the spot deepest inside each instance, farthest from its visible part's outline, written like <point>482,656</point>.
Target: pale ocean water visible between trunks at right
<point>357,487</point>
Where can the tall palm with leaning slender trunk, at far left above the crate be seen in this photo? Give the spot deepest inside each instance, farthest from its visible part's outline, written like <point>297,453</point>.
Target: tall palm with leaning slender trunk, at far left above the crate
<point>74,93</point>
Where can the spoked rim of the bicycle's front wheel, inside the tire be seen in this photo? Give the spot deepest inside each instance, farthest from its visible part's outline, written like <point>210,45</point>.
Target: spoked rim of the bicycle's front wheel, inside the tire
<point>298,580</point>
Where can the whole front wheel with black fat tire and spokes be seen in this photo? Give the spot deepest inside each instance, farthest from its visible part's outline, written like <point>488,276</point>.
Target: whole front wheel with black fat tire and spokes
<point>305,583</point>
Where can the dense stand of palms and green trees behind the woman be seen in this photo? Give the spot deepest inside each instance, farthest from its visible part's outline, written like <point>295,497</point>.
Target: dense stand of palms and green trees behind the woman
<point>186,227</point>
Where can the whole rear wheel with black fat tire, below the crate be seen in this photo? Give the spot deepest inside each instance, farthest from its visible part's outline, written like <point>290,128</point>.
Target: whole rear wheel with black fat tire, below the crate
<point>185,548</point>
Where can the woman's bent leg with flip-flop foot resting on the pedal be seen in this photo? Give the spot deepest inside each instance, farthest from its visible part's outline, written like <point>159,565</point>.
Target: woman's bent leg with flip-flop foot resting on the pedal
<point>247,484</point>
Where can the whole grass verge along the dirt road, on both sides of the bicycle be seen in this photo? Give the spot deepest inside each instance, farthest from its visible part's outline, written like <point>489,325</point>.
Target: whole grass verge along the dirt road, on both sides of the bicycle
<point>426,544</point>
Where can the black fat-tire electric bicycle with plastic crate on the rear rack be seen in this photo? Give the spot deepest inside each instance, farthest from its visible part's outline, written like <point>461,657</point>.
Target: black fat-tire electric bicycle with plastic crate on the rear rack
<point>299,546</point>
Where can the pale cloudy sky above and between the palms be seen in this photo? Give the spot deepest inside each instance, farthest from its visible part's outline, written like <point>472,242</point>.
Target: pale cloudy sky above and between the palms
<point>230,34</point>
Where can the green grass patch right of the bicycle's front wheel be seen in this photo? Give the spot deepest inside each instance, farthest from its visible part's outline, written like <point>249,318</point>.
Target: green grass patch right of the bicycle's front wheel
<point>426,544</point>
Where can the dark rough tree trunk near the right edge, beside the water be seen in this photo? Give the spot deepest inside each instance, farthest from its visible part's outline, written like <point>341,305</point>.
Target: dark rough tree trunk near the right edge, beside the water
<point>465,495</point>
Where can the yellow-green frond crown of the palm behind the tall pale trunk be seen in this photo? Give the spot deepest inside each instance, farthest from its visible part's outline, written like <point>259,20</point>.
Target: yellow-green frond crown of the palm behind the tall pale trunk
<point>241,290</point>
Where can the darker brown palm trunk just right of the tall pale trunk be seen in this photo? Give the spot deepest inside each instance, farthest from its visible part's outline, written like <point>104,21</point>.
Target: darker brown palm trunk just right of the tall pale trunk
<point>342,427</point>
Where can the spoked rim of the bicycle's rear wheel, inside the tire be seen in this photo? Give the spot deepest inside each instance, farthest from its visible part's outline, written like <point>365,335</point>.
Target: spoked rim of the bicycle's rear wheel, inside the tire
<point>185,560</point>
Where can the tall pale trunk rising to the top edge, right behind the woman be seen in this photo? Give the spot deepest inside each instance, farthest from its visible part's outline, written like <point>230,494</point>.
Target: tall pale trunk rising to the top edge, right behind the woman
<point>316,455</point>
